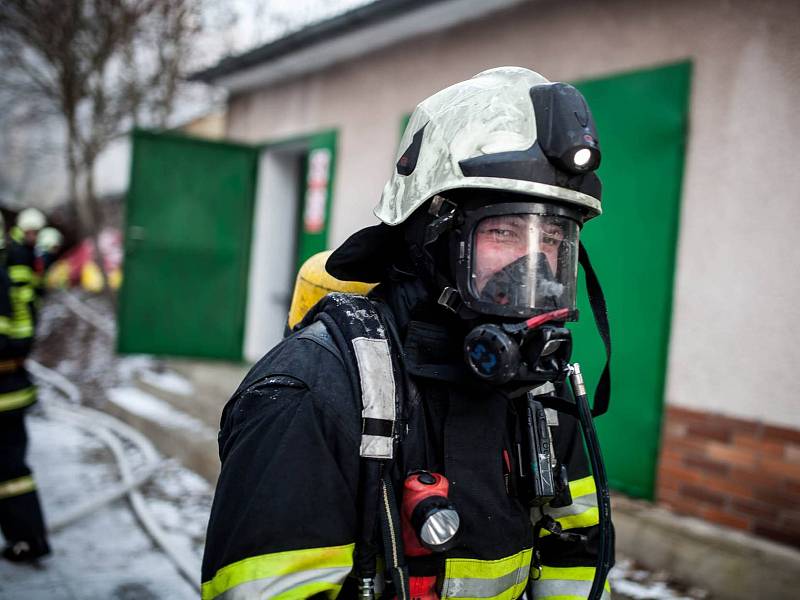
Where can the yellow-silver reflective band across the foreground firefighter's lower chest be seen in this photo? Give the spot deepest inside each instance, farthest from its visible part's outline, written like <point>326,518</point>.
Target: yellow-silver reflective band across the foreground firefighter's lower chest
<point>502,579</point>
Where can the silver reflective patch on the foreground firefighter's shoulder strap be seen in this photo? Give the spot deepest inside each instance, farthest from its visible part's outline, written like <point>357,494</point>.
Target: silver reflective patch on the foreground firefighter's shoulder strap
<point>377,391</point>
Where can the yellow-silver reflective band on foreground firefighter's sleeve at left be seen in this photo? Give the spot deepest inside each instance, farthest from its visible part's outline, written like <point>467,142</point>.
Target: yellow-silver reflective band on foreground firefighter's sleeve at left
<point>312,570</point>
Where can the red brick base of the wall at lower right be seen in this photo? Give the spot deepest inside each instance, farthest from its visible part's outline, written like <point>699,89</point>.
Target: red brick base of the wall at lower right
<point>732,472</point>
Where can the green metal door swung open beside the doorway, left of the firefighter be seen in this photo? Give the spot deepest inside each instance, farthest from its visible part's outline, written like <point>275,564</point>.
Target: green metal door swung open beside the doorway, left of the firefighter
<point>187,247</point>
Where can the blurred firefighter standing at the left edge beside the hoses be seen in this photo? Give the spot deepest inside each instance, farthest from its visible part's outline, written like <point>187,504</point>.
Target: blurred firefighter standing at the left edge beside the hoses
<point>21,519</point>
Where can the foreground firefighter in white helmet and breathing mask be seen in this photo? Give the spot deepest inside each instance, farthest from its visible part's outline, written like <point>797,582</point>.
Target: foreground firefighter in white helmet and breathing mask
<point>479,228</point>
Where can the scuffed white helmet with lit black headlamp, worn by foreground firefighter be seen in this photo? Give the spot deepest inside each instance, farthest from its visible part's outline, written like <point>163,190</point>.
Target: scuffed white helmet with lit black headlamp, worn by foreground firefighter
<point>497,131</point>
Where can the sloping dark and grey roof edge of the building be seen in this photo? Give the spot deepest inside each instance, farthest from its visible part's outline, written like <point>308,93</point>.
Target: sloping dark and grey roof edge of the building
<point>343,37</point>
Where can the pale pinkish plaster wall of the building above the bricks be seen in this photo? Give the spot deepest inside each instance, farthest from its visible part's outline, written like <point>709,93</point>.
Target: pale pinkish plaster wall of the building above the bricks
<point>735,324</point>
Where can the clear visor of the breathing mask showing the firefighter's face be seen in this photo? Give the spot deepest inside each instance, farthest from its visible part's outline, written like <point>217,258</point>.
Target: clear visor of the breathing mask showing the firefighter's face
<point>525,262</point>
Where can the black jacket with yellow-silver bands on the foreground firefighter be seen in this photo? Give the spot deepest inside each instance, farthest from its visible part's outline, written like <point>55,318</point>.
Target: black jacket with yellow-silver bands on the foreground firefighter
<point>285,516</point>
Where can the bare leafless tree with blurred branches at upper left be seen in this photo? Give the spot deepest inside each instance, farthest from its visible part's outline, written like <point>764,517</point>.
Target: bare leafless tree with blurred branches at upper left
<point>103,66</point>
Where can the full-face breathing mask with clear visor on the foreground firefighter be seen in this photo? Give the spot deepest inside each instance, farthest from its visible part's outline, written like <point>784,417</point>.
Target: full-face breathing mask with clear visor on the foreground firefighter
<point>515,266</point>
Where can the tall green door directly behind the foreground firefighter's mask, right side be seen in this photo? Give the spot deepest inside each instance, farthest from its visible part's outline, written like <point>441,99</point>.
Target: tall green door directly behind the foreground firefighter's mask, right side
<point>642,123</point>
